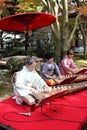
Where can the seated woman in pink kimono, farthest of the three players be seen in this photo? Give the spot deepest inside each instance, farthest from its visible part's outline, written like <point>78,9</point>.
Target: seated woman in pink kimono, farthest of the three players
<point>67,65</point>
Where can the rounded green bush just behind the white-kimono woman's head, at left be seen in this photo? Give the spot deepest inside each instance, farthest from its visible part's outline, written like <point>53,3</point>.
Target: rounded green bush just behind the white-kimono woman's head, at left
<point>14,64</point>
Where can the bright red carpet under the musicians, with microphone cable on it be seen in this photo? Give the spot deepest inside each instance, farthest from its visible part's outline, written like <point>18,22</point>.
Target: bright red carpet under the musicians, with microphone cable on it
<point>69,113</point>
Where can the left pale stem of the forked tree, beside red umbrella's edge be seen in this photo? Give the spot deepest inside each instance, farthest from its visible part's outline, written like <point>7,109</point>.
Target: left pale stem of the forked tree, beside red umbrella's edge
<point>53,8</point>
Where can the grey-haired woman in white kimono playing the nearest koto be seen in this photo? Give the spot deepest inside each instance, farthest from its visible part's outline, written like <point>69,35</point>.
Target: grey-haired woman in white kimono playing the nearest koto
<point>28,84</point>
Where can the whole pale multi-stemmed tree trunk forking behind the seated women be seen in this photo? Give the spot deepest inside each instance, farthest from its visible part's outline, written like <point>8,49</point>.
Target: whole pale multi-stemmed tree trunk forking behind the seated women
<point>62,41</point>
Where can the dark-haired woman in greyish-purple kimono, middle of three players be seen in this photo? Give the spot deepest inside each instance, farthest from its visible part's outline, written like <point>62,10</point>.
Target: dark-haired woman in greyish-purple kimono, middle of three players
<point>50,70</point>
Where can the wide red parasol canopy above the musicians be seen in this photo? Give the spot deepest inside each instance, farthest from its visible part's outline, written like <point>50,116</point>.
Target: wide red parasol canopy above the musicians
<point>26,21</point>
